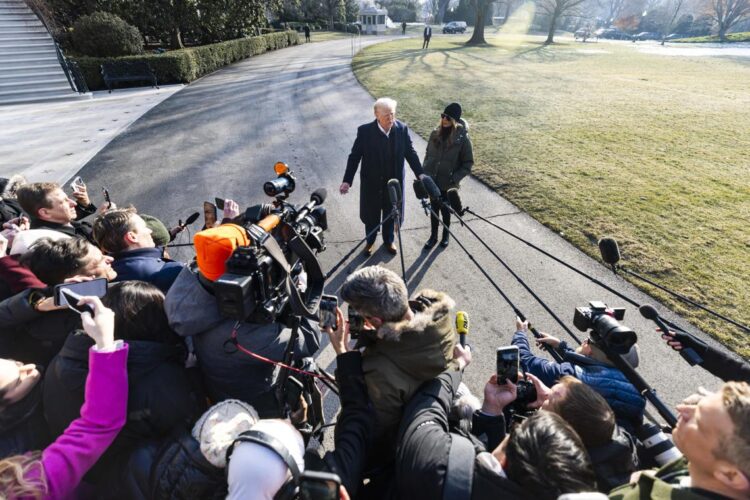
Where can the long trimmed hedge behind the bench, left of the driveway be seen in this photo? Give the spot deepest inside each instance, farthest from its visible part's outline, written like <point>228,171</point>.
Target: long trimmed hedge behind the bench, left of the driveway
<point>186,65</point>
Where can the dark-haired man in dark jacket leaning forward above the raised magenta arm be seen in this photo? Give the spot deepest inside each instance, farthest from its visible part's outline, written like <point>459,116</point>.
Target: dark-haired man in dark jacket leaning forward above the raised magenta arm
<point>34,329</point>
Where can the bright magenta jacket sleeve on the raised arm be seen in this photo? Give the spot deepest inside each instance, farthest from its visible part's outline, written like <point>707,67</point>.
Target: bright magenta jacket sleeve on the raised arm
<point>102,416</point>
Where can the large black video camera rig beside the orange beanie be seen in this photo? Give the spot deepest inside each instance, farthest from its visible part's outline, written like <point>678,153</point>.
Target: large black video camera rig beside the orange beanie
<point>261,279</point>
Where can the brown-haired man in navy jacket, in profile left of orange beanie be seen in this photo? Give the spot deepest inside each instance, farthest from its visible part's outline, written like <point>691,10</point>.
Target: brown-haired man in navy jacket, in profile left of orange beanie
<point>124,235</point>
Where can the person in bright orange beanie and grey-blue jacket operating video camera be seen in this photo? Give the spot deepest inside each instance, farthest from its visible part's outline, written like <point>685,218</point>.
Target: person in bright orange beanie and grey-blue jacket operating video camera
<point>193,311</point>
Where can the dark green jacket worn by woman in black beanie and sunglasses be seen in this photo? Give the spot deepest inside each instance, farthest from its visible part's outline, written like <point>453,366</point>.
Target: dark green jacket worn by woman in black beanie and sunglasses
<point>449,164</point>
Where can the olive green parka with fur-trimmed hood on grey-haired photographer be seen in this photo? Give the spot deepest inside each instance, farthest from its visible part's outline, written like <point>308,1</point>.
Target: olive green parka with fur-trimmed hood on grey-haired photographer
<point>407,353</point>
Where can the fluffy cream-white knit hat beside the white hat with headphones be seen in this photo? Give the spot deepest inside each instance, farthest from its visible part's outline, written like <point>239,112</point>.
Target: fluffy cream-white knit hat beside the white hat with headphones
<point>220,426</point>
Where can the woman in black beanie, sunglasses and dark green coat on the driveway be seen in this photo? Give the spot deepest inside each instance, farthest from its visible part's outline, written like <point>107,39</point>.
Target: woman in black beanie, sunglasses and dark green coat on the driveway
<point>448,159</point>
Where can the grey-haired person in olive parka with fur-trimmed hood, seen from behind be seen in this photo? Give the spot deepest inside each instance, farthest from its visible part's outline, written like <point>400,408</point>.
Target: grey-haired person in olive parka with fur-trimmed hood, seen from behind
<point>407,342</point>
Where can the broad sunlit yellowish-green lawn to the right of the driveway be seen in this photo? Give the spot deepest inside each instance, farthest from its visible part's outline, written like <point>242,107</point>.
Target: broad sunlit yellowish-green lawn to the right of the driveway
<point>601,139</point>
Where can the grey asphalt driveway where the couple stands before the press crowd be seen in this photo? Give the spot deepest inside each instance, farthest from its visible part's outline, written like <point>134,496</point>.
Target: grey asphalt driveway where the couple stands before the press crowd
<point>221,136</point>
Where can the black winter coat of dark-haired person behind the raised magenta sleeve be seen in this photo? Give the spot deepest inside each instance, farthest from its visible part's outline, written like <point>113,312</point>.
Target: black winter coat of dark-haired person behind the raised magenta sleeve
<point>159,395</point>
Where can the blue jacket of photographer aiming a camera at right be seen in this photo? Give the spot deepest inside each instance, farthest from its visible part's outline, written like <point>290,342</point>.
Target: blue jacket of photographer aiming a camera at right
<point>608,381</point>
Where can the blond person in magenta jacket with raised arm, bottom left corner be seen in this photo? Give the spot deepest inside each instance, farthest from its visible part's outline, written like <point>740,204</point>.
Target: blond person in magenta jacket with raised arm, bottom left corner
<point>57,471</point>
